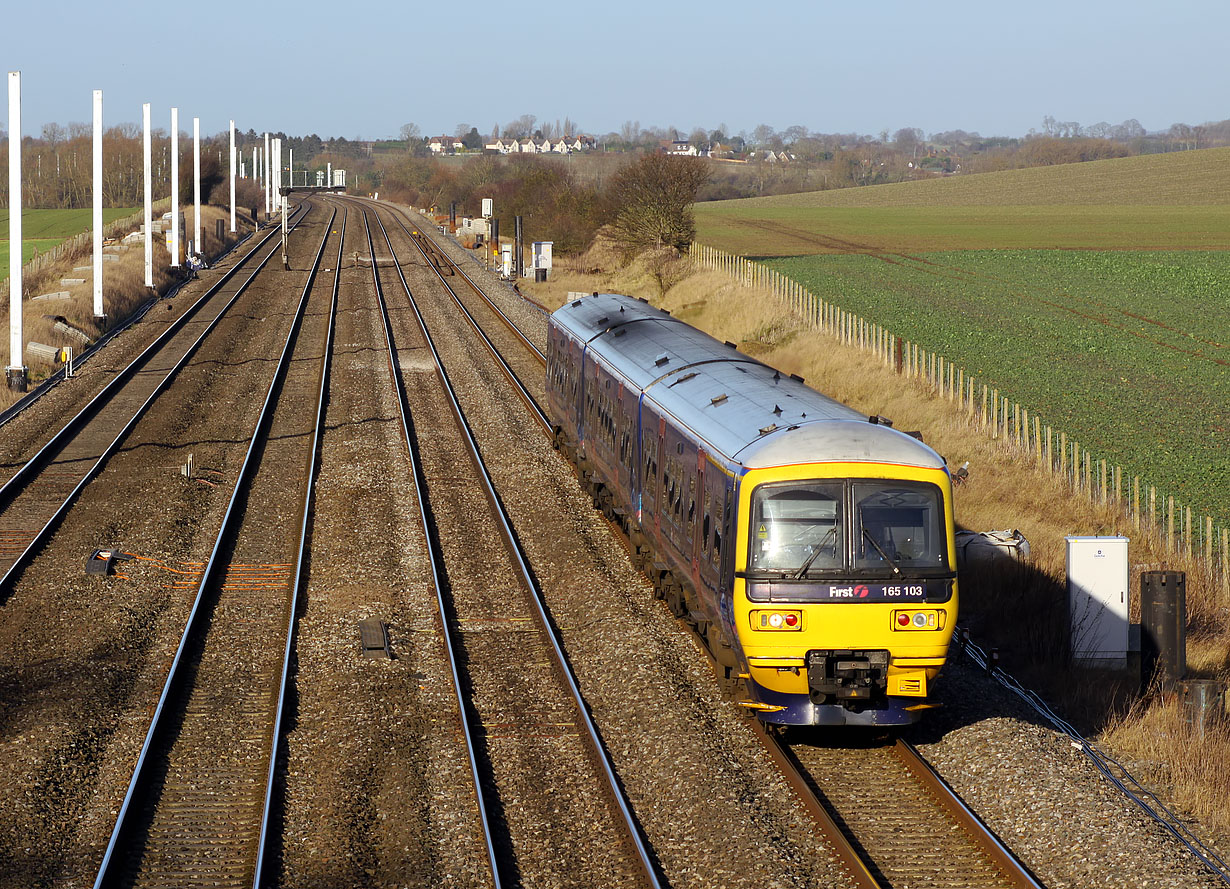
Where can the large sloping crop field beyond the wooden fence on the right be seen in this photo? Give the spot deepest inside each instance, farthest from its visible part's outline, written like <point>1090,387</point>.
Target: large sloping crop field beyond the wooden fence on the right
<point>1113,322</point>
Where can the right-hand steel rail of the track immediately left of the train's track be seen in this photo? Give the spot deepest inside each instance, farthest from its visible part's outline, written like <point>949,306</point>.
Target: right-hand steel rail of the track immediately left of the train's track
<point>537,599</point>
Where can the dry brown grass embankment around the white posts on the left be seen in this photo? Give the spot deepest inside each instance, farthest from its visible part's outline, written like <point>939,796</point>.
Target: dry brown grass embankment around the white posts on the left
<point>124,293</point>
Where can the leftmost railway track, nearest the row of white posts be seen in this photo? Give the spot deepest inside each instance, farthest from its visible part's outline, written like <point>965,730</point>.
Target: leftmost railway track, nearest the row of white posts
<point>39,494</point>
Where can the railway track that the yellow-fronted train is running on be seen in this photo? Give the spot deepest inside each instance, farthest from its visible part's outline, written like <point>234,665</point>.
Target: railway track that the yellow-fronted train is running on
<point>919,833</point>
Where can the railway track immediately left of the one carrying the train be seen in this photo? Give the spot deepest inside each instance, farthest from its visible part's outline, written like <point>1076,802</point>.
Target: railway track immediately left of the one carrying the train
<point>526,724</point>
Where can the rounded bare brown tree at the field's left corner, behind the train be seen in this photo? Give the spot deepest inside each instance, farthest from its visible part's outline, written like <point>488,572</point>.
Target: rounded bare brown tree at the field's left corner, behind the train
<point>654,200</point>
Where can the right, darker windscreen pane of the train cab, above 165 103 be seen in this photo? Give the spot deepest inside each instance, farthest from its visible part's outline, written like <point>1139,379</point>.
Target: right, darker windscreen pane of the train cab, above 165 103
<point>900,526</point>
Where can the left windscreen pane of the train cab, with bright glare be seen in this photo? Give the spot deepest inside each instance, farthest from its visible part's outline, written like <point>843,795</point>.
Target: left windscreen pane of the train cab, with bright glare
<point>796,528</point>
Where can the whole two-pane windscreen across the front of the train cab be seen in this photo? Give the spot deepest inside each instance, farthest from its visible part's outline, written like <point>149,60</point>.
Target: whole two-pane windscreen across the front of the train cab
<point>821,529</point>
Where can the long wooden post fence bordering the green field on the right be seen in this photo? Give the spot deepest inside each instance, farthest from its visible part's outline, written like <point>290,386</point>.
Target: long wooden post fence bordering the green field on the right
<point>1151,511</point>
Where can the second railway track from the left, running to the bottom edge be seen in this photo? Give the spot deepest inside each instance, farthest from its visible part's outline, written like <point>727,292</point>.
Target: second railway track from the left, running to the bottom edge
<point>197,808</point>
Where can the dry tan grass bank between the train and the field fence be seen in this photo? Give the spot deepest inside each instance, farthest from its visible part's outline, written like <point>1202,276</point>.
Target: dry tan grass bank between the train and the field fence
<point>1023,612</point>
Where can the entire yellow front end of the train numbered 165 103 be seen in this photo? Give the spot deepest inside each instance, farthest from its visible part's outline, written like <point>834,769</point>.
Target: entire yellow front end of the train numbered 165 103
<point>846,596</point>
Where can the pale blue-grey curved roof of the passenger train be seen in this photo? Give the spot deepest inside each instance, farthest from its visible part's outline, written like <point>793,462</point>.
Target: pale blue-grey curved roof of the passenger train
<point>744,409</point>
